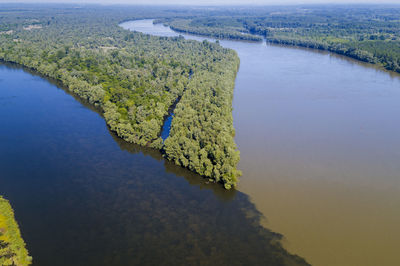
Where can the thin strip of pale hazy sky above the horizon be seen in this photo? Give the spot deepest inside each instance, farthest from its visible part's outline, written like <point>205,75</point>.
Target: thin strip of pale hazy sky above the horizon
<point>207,2</point>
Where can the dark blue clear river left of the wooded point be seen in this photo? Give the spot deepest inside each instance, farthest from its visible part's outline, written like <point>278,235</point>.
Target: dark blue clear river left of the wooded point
<point>84,197</point>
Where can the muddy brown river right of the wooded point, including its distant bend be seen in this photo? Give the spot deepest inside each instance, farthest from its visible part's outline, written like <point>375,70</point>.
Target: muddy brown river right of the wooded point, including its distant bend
<point>320,149</point>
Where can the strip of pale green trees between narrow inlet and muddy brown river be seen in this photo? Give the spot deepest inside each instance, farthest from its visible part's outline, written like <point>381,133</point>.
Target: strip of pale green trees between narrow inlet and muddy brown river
<point>202,132</point>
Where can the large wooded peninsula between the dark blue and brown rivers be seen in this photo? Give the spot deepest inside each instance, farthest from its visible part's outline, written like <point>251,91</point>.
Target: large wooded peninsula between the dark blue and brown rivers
<point>134,79</point>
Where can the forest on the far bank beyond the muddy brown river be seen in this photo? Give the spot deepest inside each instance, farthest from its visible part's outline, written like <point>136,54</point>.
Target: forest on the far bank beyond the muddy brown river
<point>369,33</point>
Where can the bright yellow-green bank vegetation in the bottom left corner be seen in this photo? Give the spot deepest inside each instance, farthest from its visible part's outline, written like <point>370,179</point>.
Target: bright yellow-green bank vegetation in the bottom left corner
<point>12,246</point>
